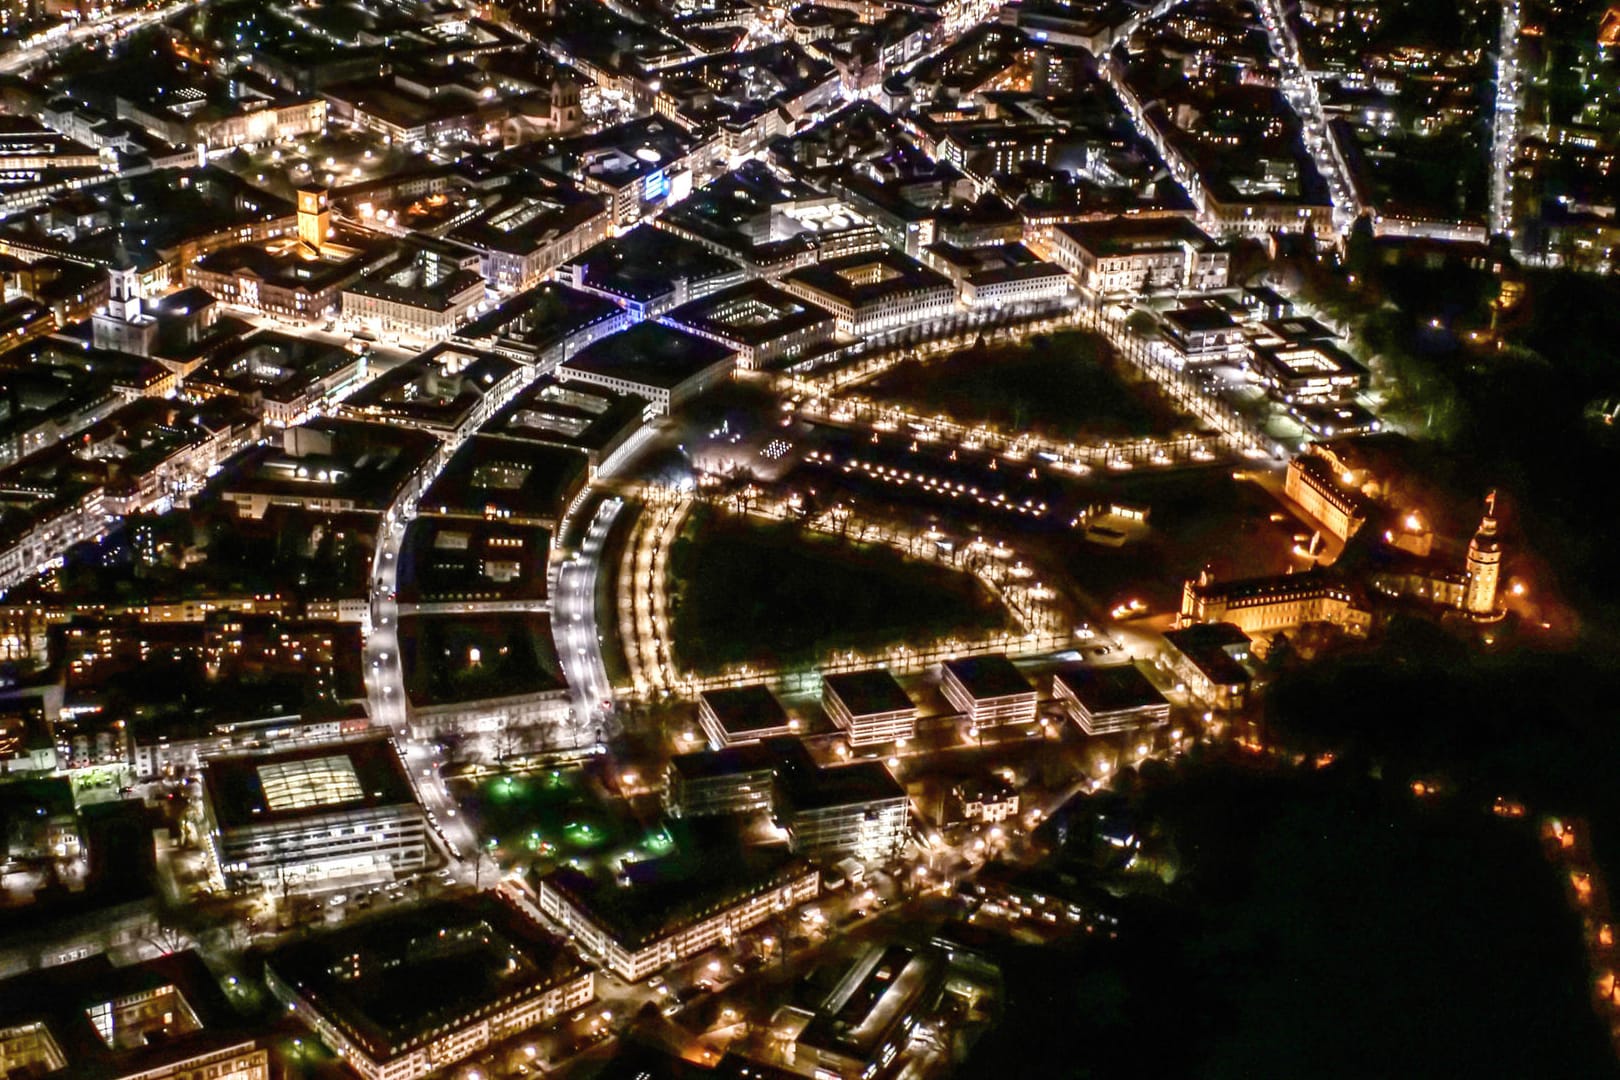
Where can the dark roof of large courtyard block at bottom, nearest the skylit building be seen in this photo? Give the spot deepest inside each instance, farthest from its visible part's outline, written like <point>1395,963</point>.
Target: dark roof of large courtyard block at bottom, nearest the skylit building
<point>399,980</point>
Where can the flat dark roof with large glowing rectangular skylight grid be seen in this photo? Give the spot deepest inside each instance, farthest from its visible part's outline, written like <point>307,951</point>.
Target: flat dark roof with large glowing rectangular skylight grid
<point>339,778</point>
